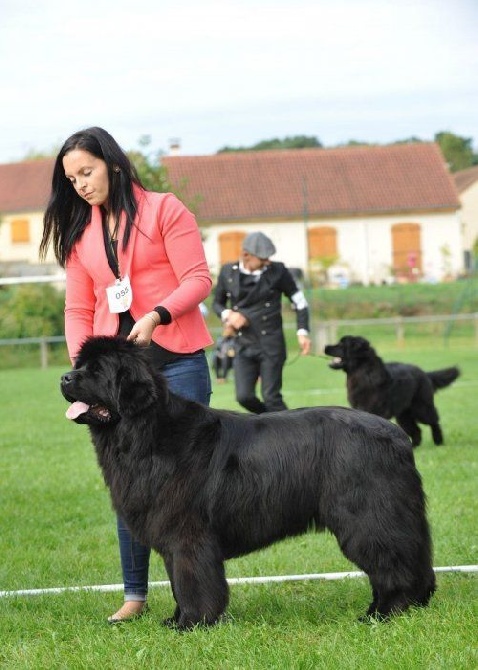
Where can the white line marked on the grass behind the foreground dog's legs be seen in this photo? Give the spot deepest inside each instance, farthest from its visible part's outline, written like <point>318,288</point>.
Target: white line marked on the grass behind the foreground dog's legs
<point>233,580</point>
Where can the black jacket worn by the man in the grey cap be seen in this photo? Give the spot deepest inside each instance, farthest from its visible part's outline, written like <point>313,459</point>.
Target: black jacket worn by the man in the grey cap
<point>261,305</point>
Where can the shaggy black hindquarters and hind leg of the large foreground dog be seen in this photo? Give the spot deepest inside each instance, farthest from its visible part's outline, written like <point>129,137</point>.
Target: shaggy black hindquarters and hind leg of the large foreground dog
<point>385,533</point>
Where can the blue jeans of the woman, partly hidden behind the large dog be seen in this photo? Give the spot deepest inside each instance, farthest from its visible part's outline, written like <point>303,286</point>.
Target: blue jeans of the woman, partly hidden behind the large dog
<point>188,377</point>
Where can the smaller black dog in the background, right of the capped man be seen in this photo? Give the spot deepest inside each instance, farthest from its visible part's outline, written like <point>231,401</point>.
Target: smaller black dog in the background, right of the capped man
<point>392,390</point>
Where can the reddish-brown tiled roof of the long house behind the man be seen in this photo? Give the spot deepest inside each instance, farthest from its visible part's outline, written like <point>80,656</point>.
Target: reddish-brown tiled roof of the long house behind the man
<point>258,184</point>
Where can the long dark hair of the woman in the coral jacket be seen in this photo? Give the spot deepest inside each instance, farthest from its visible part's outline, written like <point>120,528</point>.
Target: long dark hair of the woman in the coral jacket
<point>67,214</point>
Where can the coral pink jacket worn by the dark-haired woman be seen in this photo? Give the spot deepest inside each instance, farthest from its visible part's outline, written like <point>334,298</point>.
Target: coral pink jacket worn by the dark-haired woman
<point>166,265</point>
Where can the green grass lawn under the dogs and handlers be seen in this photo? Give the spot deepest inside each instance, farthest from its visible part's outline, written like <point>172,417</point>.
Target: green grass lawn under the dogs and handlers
<point>58,530</point>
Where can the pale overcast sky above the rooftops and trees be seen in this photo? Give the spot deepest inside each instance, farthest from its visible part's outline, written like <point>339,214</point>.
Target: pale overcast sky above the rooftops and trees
<point>218,72</point>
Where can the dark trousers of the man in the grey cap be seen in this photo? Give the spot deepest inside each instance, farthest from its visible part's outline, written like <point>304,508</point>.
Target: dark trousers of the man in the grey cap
<point>251,366</point>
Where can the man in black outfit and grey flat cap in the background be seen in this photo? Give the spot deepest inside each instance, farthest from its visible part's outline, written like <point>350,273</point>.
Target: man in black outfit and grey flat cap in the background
<point>248,298</point>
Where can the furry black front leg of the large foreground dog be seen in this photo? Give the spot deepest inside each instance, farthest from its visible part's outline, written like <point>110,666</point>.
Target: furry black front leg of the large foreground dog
<point>199,582</point>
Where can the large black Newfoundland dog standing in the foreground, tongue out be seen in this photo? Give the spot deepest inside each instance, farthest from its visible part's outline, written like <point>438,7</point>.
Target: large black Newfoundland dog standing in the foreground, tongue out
<point>201,485</point>
